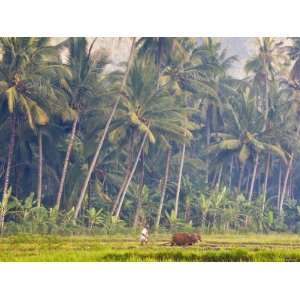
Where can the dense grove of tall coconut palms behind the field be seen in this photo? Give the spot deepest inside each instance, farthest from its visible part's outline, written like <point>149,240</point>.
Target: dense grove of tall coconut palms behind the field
<point>168,139</point>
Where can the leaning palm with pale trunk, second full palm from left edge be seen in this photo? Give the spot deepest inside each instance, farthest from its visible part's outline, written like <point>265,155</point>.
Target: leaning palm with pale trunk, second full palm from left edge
<point>76,88</point>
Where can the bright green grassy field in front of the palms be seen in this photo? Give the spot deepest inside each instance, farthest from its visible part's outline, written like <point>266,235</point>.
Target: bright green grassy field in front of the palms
<point>215,247</point>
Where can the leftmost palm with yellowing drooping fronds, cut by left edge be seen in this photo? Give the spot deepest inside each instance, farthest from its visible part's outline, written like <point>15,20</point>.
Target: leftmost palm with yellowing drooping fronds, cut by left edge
<point>27,64</point>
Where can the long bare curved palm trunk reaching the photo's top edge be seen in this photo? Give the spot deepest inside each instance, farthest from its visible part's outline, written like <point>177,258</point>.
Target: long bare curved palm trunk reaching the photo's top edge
<point>99,147</point>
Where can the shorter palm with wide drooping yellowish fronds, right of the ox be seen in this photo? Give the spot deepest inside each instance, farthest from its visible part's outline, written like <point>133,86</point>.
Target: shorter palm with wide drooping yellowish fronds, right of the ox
<point>243,136</point>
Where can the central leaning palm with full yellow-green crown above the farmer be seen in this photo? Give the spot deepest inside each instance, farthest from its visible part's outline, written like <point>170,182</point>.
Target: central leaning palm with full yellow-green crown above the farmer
<point>150,112</point>
